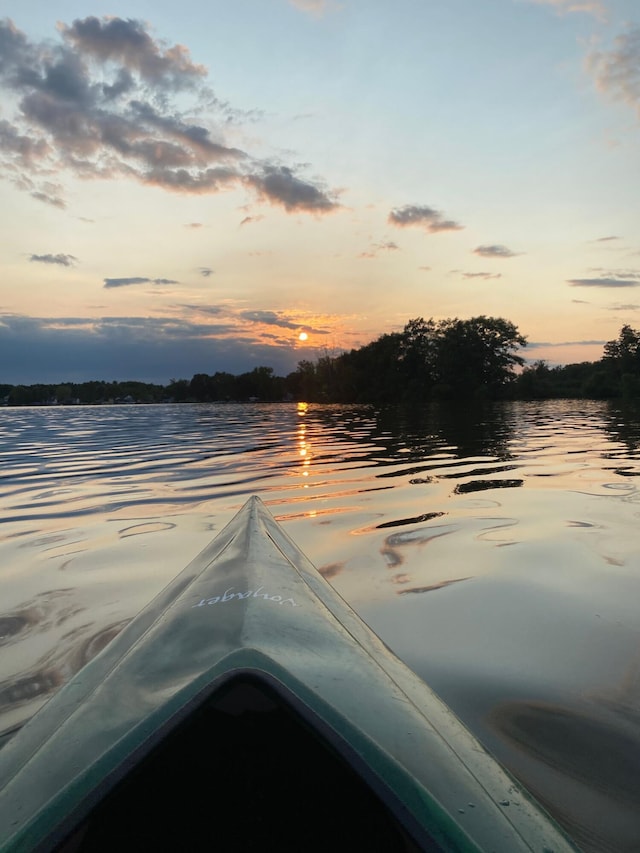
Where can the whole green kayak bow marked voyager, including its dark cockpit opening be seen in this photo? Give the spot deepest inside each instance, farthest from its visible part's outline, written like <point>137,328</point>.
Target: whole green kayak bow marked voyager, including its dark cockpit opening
<point>247,707</point>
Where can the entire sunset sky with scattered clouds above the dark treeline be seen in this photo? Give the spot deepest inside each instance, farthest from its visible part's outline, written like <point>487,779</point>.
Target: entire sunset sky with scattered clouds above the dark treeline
<point>216,186</point>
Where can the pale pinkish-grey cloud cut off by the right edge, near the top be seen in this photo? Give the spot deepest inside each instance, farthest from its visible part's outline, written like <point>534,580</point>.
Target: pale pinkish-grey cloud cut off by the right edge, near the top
<point>617,71</point>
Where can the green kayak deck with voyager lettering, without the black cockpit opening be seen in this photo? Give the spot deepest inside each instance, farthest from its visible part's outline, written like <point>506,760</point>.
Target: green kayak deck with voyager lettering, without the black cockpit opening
<point>252,610</point>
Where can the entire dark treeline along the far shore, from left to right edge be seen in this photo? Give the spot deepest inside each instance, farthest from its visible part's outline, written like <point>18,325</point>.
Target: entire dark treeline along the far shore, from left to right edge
<point>450,359</point>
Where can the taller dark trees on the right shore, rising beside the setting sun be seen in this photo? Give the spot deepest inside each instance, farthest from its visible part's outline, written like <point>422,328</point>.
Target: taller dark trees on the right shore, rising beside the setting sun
<point>466,359</point>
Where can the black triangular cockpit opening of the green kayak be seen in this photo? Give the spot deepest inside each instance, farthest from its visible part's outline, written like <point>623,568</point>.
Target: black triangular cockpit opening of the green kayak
<point>243,771</point>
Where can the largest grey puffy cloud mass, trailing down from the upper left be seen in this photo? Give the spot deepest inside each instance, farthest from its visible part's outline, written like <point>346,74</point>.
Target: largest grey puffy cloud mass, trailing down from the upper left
<point>102,102</point>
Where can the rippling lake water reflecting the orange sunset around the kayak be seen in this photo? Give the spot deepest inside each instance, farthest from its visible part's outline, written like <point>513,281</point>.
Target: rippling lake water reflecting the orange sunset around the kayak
<point>496,550</point>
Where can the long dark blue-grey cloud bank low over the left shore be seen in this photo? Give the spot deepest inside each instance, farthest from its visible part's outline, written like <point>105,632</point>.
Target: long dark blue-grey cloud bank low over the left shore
<point>71,349</point>
